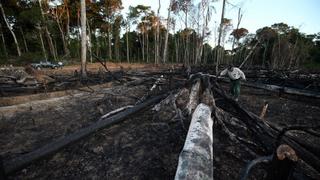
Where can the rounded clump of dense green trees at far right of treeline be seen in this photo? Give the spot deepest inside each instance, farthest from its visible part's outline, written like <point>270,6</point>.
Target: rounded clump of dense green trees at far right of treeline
<point>282,47</point>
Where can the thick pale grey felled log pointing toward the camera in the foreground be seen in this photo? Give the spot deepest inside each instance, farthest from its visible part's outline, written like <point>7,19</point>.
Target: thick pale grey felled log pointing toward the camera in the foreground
<point>196,157</point>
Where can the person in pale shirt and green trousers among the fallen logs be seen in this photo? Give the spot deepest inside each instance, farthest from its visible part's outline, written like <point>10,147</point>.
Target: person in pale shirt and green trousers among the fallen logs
<point>235,74</point>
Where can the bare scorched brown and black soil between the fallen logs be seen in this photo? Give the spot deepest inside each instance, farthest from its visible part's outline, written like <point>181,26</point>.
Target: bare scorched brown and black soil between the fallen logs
<point>145,146</point>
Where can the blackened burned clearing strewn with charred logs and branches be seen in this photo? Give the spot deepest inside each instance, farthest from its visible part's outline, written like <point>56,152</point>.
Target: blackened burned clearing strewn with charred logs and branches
<point>157,107</point>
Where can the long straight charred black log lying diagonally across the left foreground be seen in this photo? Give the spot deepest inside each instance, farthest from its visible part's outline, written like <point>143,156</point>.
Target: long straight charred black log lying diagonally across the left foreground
<point>24,160</point>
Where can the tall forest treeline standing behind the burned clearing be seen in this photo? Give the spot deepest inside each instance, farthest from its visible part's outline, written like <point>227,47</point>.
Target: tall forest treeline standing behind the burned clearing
<point>31,30</point>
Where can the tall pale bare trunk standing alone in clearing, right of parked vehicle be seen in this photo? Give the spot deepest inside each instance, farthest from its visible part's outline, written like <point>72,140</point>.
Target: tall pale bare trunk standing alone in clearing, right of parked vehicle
<point>83,39</point>
